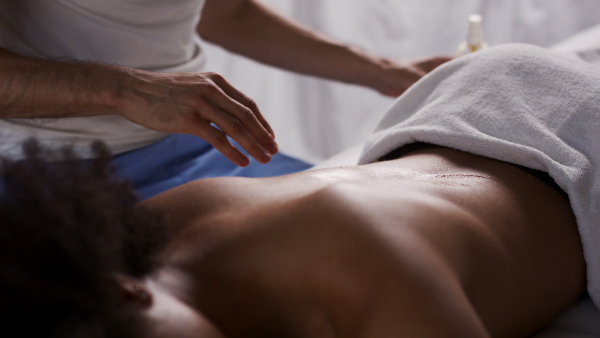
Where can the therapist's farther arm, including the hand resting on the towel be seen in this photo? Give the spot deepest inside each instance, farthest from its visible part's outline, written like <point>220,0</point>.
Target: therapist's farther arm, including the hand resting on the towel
<point>248,27</point>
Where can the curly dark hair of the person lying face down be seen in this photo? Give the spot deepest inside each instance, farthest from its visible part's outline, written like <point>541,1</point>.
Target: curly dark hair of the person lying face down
<point>66,227</point>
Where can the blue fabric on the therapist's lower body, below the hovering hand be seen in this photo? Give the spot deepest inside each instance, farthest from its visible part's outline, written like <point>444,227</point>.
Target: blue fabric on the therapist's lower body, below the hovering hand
<point>183,158</point>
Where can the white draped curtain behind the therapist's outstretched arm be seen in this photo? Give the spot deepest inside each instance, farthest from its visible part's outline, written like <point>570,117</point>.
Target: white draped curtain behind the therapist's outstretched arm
<point>314,119</point>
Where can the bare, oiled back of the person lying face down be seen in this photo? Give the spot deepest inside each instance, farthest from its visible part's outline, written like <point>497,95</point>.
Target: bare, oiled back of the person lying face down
<point>491,244</point>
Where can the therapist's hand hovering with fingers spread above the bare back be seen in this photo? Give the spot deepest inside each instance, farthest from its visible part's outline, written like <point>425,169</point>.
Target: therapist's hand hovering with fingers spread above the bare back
<point>194,104</point>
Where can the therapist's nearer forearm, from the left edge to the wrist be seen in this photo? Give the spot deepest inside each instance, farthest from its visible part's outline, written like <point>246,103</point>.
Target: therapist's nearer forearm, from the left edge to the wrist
<point>31,87</point>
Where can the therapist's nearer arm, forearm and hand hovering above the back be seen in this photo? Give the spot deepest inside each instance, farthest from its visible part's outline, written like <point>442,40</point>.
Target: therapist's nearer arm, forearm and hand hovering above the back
<point>176,103</point>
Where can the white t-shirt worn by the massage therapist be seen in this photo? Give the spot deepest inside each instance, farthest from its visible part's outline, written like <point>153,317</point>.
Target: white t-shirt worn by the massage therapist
<point>154,35</point>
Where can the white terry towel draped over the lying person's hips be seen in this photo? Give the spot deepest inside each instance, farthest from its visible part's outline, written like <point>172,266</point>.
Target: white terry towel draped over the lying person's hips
<point>519,104</point>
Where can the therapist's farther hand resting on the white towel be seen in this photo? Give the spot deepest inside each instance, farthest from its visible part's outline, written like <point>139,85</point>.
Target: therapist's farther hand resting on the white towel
<point>397,76</point>
